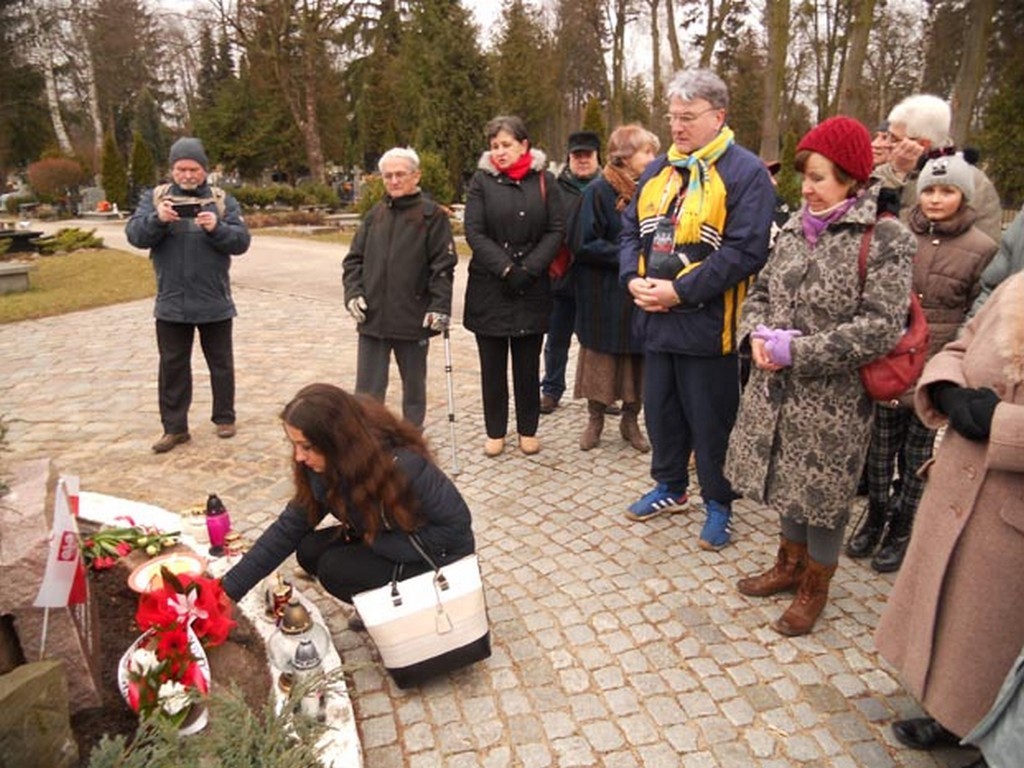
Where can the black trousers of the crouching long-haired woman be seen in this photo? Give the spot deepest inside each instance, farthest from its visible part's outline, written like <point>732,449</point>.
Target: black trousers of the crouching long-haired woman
<point>346,569</point>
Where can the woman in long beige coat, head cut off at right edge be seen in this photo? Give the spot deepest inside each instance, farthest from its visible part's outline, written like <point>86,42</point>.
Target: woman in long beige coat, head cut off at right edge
<point>954,624</point>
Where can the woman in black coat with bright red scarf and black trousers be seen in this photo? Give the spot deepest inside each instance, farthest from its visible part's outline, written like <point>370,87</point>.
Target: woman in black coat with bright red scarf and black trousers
<point>515,226</point>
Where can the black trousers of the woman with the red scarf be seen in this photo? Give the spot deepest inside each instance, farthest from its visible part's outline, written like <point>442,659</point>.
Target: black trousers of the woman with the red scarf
<point>494,353</point>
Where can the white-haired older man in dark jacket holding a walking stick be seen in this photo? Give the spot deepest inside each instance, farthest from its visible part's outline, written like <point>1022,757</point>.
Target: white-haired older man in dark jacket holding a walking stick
<point>398,278</point>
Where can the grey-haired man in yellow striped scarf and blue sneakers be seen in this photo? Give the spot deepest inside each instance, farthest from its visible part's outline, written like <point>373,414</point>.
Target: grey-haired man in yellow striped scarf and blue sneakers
<point>694,238</point>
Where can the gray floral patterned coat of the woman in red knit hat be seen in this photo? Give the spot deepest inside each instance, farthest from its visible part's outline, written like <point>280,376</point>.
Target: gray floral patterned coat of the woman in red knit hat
<point>802,434</point>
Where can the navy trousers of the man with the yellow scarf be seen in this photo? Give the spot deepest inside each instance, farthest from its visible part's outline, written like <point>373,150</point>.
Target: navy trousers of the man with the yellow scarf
<point>692,405</point>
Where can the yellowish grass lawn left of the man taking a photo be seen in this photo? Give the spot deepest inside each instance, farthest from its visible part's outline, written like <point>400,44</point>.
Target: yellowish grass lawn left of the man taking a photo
<point>82,280</point>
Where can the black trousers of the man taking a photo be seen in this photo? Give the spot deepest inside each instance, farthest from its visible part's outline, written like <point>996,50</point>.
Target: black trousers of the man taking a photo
<point>175,340</point>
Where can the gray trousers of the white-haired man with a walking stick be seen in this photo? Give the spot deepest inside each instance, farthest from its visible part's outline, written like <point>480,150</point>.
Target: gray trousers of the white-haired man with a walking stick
<point>373,362</point>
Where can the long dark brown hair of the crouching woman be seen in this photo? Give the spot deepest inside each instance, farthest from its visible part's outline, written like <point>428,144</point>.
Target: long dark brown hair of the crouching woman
<point>358,437</point>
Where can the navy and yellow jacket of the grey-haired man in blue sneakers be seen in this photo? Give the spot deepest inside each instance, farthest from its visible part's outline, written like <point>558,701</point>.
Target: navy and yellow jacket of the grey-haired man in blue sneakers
<point>720,268</point>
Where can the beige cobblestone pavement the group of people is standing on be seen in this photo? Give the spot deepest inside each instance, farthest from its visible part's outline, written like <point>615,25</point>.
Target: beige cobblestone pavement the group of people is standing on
<point>615,644</point>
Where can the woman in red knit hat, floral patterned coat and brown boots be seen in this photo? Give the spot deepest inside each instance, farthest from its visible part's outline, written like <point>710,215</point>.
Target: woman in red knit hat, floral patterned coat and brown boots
<point>805,420</point>
